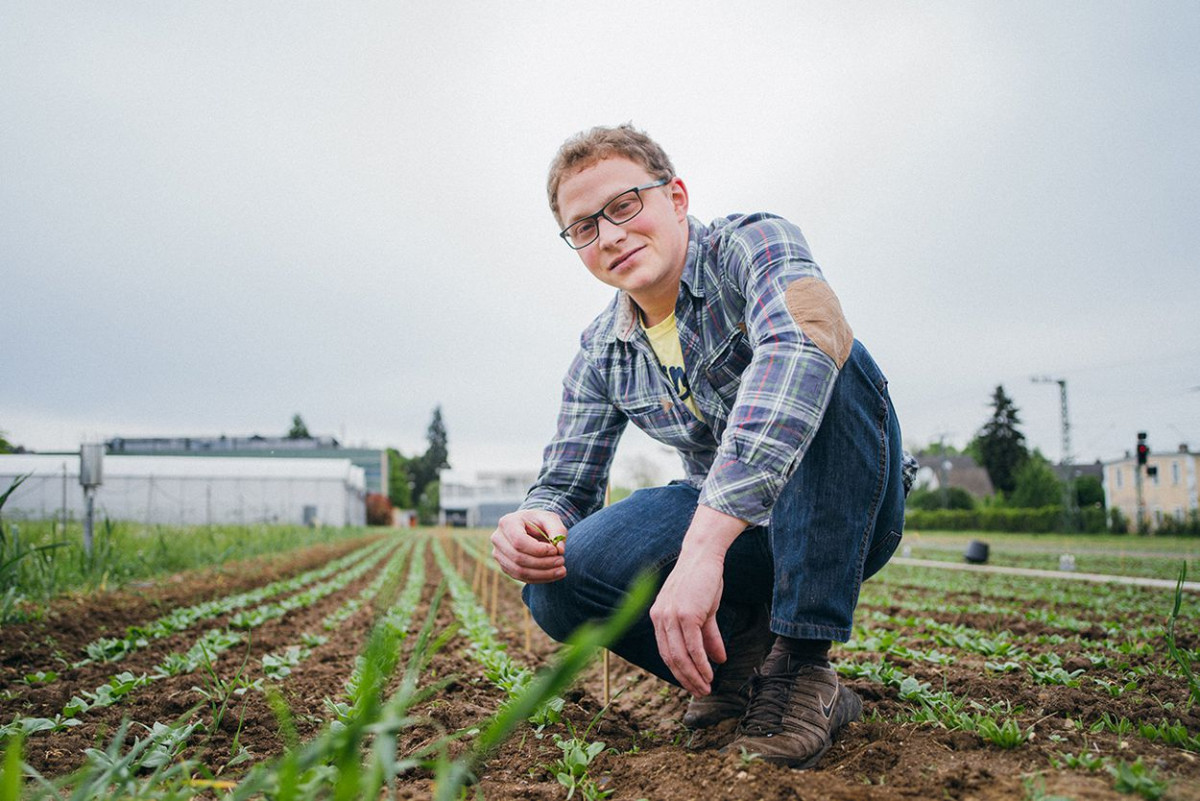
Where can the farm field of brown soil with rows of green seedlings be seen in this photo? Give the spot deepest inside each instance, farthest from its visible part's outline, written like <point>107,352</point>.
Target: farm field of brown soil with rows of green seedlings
<point>976,686</point>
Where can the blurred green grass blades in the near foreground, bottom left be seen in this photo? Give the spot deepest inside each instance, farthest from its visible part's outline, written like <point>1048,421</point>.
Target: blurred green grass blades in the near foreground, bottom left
<point>353,758</point>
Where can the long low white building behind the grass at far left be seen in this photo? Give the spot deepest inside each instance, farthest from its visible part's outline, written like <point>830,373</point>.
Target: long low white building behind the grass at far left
<point>190,491</point>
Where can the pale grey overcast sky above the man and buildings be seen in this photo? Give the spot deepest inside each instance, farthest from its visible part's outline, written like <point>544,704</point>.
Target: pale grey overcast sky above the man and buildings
<point>217,215</point>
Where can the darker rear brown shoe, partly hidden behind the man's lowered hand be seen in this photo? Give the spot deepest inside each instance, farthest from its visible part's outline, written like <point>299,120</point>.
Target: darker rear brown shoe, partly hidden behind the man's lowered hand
<point>731,682</point>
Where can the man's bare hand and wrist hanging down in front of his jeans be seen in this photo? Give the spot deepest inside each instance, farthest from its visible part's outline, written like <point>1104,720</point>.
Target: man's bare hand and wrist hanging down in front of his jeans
<point>685,613</point>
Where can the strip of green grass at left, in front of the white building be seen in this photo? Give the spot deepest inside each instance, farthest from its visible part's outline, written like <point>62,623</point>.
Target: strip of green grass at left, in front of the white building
<point>39,561</point>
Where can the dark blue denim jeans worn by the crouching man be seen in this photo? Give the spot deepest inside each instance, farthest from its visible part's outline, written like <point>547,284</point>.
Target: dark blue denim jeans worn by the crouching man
<point>837,523</point>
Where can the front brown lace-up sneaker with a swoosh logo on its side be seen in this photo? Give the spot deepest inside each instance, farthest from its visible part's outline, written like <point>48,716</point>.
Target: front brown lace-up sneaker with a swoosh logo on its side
<point>795,715</point>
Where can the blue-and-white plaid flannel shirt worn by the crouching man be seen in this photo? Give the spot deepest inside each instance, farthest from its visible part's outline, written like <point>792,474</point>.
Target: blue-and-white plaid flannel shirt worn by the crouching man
<point>760,383</point>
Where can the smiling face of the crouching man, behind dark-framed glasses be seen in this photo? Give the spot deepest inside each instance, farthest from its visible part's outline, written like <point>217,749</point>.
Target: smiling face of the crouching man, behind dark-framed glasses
<point>644,256</point>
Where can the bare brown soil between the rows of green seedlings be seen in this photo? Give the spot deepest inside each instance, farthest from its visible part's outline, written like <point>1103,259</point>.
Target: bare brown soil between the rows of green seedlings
<point>650,754</point>
